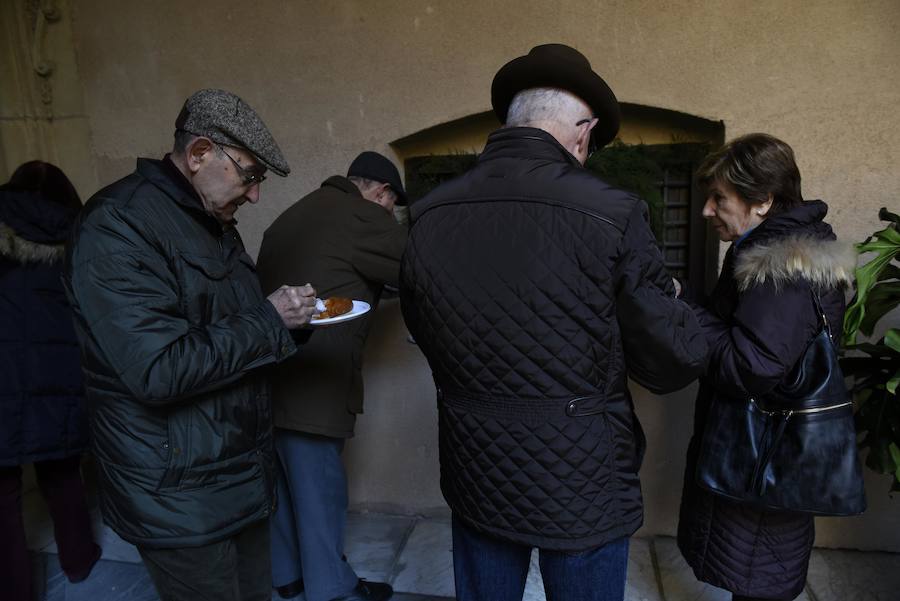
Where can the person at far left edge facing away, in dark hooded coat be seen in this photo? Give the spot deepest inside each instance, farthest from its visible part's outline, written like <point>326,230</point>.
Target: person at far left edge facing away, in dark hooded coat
<point>42,414</point>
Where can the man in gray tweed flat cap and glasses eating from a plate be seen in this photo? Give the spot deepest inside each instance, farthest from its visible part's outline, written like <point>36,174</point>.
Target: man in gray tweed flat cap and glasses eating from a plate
<point>173,328</point>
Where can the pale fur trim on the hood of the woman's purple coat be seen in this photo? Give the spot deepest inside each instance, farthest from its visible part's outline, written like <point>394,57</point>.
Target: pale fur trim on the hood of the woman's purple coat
<point>823,263</point>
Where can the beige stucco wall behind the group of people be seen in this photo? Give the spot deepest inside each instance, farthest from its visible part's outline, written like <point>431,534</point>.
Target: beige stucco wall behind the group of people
<point>333,78</point>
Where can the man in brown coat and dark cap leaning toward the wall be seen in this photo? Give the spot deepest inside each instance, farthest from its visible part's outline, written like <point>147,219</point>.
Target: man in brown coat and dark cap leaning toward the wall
<point>343,238</point>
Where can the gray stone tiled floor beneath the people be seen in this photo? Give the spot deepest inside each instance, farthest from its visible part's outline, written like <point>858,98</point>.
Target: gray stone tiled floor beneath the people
<point>414,555</point>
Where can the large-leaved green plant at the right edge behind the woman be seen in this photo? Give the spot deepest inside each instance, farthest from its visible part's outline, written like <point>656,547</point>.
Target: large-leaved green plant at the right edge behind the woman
<point>874,366</point>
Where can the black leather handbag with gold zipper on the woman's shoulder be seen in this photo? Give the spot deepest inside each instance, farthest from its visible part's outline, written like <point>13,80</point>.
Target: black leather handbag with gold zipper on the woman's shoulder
<point>795,448</point>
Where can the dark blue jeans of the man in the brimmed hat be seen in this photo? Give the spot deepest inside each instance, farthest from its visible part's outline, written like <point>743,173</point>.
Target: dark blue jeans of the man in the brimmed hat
<point>490,569</point>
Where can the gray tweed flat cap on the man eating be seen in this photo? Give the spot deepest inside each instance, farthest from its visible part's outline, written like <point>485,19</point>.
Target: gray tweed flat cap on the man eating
<point>224,118</point>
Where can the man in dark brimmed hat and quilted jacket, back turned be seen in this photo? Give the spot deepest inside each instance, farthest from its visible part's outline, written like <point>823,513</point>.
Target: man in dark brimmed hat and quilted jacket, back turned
<point>534,289</point>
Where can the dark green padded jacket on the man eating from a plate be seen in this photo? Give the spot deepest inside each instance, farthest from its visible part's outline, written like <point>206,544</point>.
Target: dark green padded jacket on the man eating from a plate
<point>173,326</point>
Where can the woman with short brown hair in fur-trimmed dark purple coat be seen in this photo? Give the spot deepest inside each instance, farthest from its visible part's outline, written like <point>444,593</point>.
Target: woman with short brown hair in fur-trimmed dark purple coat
<point>759,320</point>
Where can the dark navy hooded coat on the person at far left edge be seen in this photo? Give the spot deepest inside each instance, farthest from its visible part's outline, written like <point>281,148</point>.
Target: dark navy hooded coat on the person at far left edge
<point>41,392</point>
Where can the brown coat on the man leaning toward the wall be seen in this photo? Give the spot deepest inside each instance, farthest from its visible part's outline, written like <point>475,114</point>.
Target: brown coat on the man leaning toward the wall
<point>344,245</point>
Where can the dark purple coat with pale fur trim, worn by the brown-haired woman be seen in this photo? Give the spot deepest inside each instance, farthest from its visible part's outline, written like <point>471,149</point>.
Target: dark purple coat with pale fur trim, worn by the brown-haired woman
<point>759,321</point>
